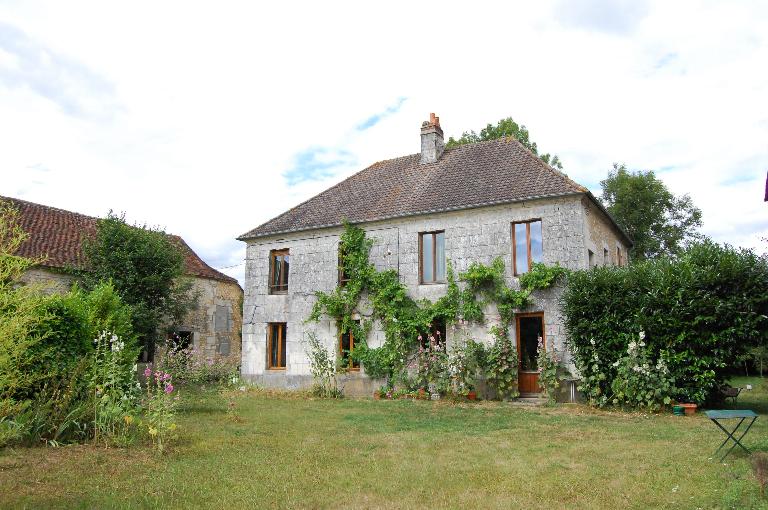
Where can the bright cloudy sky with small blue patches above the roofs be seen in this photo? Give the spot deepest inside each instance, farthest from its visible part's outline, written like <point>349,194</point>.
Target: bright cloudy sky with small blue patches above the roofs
<point>221,116</point>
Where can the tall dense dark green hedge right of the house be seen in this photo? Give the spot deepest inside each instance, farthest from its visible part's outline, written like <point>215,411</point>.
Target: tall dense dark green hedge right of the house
<point>699,310</point>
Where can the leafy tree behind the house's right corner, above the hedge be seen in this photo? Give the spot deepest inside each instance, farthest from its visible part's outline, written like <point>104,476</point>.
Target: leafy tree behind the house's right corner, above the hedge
<point>659,222</point>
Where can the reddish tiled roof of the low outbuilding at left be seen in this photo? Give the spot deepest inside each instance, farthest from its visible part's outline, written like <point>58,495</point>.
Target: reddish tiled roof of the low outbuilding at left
<point>57,235</point>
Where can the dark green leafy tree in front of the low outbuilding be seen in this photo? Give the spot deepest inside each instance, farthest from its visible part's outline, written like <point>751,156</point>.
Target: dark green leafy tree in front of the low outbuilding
<point>147,270</point>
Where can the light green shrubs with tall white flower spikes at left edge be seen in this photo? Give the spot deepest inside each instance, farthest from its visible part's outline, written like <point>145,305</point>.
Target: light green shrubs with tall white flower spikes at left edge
<point>67,362</point>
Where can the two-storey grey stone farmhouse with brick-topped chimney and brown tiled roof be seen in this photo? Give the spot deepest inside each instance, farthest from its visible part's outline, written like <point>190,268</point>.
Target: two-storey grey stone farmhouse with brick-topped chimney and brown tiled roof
<point>475,202</point>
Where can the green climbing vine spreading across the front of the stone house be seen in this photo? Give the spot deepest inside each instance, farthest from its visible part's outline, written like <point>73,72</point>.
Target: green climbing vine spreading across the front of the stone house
<point>402,318</point>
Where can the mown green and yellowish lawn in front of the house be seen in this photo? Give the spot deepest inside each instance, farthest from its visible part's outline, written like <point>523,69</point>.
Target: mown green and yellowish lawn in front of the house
<point>292,452</point>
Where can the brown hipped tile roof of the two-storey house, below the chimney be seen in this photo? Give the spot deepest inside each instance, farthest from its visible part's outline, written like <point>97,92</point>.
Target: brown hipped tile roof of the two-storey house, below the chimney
<point>468,176</point>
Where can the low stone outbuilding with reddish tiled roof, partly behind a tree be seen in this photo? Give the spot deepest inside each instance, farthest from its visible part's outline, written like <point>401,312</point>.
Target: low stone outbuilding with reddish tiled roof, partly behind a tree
<point>57,235</point>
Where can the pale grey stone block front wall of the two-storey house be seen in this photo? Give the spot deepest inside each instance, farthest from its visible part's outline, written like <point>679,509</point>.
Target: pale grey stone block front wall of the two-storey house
<point>471,235</point>
